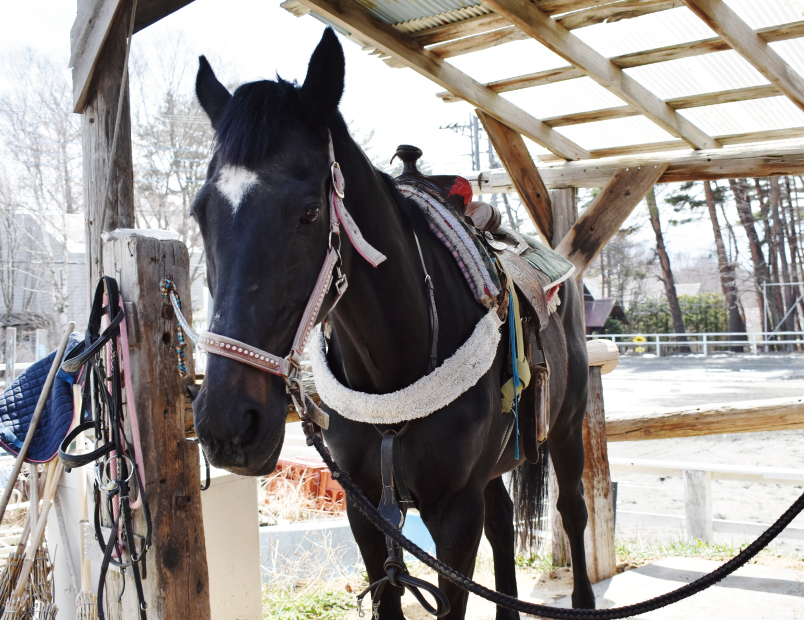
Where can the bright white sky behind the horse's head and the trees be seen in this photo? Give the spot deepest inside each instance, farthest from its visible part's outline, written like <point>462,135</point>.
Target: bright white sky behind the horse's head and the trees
<point>256,39</point>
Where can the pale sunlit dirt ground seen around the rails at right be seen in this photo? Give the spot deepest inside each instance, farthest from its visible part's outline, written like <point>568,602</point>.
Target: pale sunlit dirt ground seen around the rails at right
<point>657,384</point>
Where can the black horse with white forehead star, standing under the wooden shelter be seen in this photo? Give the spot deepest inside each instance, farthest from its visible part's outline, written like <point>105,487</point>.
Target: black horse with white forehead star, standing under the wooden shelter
<point>264,217</point>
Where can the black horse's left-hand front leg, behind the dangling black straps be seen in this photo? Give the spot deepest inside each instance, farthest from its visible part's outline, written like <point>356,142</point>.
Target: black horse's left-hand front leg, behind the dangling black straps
<point>372,547</point>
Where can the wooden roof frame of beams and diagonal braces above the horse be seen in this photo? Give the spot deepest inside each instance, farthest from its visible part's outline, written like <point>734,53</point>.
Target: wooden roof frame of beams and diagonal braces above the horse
<point>424,47</point>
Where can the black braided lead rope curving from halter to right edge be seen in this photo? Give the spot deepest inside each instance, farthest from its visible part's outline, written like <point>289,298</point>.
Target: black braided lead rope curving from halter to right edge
<point>503,600</point>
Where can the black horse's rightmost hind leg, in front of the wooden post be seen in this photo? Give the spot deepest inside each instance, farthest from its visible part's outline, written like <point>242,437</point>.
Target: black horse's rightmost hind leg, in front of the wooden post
<point>568,460</point>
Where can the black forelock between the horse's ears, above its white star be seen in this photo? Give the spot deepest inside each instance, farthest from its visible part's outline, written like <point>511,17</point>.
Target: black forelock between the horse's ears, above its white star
<point>250,123</point>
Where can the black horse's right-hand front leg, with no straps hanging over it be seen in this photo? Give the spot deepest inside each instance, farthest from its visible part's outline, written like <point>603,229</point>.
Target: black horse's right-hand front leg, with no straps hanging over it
<point>456,524</point>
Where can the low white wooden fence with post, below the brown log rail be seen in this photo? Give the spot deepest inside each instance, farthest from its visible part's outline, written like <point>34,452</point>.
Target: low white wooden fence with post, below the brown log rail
<point>698,522</point>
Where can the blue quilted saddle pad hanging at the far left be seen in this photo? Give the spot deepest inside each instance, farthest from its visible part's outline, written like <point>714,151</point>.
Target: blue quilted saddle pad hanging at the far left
<point>18,402</point>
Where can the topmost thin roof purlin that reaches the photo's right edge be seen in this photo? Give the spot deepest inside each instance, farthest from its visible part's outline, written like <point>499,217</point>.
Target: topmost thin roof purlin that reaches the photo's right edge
<point>636,59</point>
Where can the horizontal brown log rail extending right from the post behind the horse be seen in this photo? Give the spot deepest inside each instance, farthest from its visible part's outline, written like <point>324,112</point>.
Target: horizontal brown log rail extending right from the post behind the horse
<point>778,414</point>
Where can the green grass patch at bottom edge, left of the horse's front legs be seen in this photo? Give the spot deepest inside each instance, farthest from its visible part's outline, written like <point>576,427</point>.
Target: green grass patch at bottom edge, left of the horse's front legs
<point>283,603</point>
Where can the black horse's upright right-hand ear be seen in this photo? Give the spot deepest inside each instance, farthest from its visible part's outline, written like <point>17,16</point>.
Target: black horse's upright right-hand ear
<point>323,86</point>
